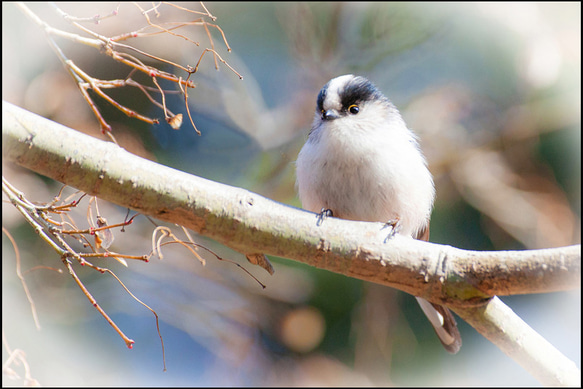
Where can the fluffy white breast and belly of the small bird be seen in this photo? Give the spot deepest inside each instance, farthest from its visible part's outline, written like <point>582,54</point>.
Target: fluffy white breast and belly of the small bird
<point>378,176</point>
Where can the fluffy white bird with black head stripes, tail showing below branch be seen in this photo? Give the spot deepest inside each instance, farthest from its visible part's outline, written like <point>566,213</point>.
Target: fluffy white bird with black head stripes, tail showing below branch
<point>361,162</point>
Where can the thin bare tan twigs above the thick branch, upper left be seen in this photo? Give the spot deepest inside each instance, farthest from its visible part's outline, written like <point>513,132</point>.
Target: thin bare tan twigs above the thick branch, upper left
<point>134,58</point>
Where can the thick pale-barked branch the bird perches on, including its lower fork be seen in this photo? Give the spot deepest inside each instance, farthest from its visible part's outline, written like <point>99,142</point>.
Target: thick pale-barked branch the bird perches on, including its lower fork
<point>463,280</point>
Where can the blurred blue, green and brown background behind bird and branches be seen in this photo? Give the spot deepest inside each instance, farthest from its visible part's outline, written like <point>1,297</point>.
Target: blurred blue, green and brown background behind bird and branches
<point>492,89</point>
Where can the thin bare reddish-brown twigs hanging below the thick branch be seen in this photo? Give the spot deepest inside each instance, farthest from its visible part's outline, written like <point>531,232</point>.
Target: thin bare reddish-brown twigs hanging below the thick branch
<point>56,226</point>
